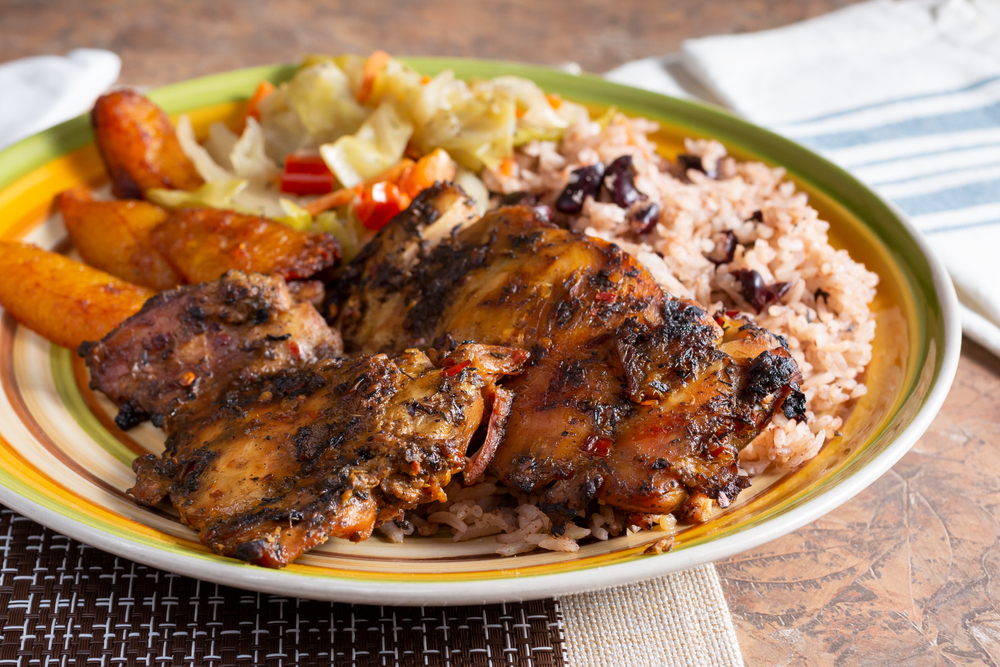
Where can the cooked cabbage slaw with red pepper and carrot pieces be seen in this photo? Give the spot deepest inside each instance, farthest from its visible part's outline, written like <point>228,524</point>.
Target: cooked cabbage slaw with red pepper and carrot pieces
<point>371,120</point>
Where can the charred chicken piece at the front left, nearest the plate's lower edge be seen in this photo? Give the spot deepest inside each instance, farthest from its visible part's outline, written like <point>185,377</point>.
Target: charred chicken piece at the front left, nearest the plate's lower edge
<point>334,449</point>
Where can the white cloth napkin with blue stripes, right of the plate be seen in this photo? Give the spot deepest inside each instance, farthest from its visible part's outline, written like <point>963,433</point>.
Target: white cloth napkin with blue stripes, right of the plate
<point>905,95</point>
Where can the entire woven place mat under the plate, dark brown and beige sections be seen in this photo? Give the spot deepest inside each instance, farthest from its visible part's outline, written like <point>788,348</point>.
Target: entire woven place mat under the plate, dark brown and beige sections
<point>64,603</point>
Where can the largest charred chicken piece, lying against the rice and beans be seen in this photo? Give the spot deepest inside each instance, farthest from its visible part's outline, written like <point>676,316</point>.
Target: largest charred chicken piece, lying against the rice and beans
<point>633,397</point>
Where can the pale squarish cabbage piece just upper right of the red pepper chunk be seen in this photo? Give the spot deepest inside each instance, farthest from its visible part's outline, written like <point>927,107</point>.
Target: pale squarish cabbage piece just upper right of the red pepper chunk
<point>378,145</point>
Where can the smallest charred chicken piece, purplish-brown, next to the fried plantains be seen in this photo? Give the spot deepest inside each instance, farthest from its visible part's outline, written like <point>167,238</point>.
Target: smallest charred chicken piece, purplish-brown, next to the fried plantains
<point>185,346</point>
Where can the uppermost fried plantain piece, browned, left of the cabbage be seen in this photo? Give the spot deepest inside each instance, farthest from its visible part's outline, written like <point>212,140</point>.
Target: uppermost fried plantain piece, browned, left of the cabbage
<point>139,146</point>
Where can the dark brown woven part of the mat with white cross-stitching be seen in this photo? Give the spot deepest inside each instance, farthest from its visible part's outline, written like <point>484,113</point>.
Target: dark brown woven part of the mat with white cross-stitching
<point>64,603</point>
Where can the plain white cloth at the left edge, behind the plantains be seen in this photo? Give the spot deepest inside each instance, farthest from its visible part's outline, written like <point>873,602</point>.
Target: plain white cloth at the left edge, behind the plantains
<point>43,91</point>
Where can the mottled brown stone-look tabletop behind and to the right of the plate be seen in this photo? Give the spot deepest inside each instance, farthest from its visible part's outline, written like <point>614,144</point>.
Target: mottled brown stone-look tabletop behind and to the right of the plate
<point>908,572</point>
